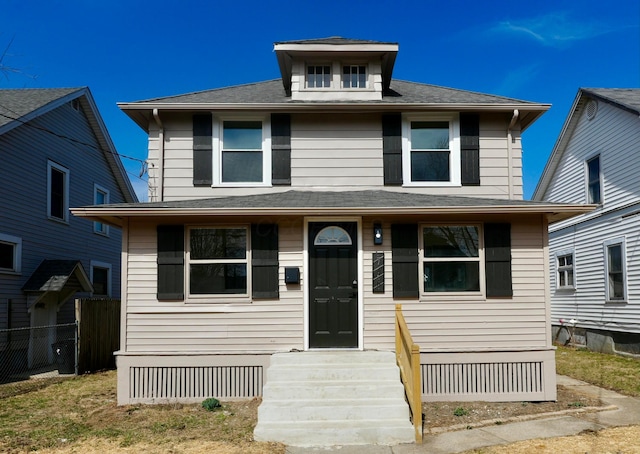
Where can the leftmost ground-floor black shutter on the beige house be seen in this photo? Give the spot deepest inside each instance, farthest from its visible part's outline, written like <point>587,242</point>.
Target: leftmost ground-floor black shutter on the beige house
<point>170,262</point>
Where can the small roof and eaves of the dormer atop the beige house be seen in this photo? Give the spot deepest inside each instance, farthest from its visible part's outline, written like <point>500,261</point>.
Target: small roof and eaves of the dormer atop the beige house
<point>287,51</point>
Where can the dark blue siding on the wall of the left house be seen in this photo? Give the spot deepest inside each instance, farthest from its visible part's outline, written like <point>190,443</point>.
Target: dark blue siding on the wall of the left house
<point>23,200</point>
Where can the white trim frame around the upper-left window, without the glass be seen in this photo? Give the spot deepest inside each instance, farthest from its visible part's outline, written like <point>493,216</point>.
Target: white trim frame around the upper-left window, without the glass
<point>218,149</point>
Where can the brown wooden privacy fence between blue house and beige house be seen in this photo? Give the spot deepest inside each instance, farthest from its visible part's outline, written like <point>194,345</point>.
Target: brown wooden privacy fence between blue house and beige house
<point>98,333</point>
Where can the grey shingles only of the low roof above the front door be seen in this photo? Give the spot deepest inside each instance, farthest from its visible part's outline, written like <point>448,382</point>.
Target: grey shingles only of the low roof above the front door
<point>331,199</point>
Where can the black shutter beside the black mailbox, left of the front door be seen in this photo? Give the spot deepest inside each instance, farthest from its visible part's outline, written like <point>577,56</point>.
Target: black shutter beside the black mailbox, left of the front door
<point>264,260</point>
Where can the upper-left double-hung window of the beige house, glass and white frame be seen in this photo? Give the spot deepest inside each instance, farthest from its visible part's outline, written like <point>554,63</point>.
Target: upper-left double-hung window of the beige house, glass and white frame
<point>245,156</point>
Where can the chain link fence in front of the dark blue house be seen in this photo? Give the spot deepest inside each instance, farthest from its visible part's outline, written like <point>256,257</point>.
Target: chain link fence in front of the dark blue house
<point>34,357</point>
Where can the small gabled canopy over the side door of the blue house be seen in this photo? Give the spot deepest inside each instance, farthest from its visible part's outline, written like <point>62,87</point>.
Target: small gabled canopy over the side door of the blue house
<point>56,280</point>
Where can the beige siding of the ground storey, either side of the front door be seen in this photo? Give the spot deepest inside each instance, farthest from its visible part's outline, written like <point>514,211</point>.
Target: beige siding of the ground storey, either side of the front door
<point>262,326</point>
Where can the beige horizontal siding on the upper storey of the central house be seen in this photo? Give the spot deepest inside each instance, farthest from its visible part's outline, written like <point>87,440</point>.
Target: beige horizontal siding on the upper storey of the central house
<point>340,151</point>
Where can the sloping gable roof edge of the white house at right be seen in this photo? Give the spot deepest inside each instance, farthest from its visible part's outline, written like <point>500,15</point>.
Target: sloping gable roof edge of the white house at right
<point>627,99</point>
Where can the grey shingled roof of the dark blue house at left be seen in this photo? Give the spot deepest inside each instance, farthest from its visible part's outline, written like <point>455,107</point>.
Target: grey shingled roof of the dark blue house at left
<point>16,103</point>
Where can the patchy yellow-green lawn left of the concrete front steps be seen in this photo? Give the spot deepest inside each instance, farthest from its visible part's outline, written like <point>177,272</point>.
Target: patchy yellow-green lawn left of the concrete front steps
<point>81,415</point>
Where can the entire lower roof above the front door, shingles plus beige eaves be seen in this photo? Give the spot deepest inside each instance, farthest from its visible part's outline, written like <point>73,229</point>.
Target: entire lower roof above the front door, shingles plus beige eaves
<point>331,203</point>
